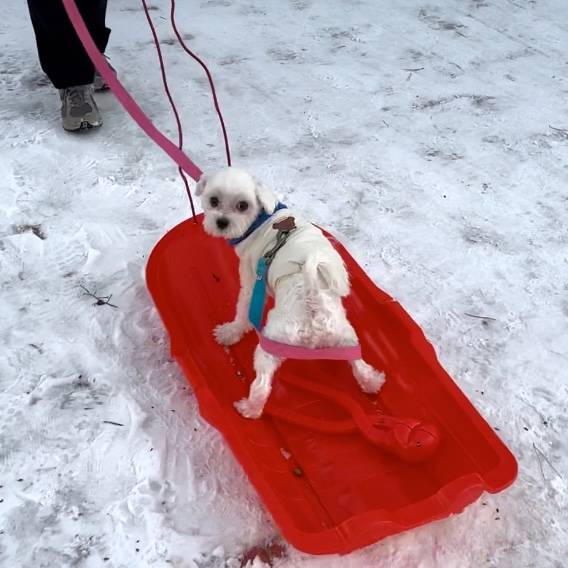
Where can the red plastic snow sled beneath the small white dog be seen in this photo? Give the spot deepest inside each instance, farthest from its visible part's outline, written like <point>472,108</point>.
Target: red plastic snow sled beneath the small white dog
<point>329,489</point>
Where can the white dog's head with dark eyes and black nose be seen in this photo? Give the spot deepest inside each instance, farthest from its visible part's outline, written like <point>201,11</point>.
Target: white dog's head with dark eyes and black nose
<point>232,199</point>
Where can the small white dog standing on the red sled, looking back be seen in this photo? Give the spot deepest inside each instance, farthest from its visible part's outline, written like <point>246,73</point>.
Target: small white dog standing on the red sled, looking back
<point>307,279</point>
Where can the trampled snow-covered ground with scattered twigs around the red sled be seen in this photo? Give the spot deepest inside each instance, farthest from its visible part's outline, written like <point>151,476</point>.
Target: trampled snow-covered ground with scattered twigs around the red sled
<point>432,137</point>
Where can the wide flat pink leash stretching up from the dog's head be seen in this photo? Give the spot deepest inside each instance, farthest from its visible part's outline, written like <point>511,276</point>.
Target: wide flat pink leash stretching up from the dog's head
<point>123,96</point>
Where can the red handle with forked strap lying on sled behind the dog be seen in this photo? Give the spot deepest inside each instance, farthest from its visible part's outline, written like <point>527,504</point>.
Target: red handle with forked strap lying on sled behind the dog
<point>410,439</point>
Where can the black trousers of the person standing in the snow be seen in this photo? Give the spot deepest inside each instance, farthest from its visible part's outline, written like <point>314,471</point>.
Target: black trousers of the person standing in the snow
<point>61,54</point>
